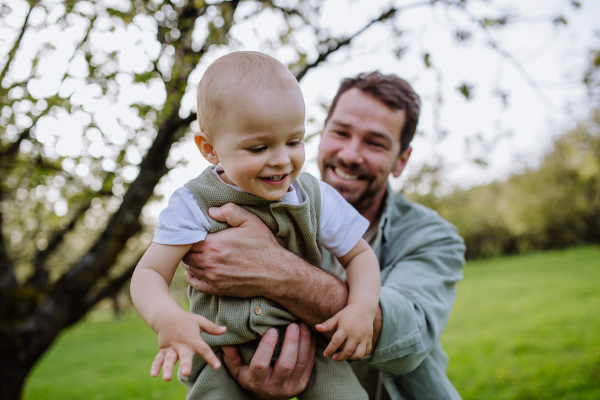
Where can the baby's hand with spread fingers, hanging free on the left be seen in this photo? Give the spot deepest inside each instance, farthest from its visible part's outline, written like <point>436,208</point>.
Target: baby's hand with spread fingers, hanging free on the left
<point>179,339</point>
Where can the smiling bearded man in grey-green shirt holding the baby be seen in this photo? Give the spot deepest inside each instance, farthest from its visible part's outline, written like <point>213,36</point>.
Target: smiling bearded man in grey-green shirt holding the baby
<point>366,138</point>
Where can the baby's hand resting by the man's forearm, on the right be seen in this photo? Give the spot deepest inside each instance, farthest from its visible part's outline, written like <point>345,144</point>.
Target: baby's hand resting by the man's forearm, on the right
<point>354,327</point>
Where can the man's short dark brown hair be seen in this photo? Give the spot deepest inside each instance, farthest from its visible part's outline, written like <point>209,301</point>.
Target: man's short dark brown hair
<point>393,91</point>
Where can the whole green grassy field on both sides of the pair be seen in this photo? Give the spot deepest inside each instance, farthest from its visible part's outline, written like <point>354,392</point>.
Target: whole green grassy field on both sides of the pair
<point>523,327</point>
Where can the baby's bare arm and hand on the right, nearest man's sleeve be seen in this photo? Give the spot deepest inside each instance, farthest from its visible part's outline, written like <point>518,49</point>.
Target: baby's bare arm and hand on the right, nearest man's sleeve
<point>354,323</point>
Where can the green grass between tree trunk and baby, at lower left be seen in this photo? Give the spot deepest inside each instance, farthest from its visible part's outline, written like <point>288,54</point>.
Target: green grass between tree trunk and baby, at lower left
<point>102,360</point>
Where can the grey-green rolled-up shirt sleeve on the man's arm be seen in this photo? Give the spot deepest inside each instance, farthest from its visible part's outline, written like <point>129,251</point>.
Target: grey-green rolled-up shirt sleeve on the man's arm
<point>422,261</point>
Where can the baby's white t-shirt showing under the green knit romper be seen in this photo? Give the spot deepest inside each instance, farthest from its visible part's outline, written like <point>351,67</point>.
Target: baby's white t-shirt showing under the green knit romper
<point>340,225</point>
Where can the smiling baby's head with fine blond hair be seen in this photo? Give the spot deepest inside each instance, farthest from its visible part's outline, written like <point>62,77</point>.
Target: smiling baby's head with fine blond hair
<point>251,116</point>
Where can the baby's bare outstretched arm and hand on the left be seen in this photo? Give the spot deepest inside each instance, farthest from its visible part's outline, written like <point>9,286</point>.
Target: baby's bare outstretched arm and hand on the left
<point>178,330</point>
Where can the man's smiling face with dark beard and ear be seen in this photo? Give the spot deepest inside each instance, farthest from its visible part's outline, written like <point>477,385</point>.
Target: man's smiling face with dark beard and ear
<point>360,147</point>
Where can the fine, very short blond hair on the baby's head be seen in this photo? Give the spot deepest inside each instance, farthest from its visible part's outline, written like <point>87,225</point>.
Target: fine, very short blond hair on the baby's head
<point>228,75</point>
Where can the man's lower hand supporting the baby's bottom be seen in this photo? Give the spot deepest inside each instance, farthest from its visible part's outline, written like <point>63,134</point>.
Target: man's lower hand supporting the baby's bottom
<point>291,372</point>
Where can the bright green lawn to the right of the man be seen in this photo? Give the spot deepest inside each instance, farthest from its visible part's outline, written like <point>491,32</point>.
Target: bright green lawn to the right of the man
<point>528,327</point>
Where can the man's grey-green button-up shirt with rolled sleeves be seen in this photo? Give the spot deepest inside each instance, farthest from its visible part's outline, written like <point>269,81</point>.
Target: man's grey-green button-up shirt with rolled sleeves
<point>421,258</point>
